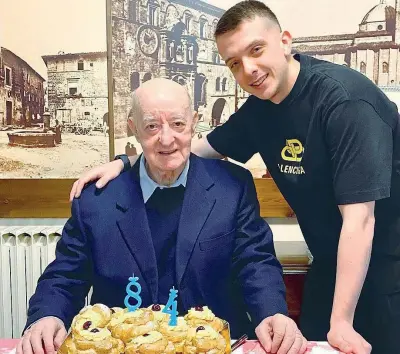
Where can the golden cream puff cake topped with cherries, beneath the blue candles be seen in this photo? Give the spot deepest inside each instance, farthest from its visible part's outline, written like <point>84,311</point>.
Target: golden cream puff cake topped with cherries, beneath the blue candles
<point>98,329</point>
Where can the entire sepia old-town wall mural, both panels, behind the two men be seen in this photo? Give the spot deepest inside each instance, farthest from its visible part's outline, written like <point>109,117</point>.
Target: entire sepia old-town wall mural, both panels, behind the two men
<point>53,69</point>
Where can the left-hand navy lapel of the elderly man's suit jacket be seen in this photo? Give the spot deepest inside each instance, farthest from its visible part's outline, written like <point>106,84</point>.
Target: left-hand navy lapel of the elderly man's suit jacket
<point>135,230</point>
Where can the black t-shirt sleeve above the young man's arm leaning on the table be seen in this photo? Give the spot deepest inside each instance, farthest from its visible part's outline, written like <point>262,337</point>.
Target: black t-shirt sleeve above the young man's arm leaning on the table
<point>361,148</point>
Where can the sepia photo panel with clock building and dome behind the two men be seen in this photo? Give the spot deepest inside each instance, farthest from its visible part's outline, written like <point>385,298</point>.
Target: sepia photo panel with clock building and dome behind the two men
<point>174,39</point>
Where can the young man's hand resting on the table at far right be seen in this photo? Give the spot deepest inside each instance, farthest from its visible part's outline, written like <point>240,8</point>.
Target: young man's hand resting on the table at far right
<point>343,337</point>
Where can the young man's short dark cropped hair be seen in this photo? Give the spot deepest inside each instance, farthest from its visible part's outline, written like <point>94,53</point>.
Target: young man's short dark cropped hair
<point>242,11</point>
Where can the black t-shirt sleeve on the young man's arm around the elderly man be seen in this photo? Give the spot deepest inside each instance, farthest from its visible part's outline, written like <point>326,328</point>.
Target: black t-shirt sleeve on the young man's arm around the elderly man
<point>233,138</point>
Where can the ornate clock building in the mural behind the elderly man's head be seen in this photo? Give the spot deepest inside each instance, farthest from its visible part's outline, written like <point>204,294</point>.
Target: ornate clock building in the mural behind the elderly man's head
<point>171,39</point>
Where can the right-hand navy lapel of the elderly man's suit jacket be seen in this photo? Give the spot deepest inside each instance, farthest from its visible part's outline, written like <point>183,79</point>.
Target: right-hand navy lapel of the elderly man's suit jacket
<point>196,208</point>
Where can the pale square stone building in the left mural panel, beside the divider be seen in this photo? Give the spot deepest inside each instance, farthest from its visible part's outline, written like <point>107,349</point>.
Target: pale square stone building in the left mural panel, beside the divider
<point>77,93</point>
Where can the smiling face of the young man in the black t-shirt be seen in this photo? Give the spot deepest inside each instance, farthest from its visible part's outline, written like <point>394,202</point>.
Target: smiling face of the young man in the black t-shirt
<point>257,54</point>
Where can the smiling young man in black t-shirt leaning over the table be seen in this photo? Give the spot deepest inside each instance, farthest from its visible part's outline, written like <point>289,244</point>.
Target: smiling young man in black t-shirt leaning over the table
<point>331,140</point>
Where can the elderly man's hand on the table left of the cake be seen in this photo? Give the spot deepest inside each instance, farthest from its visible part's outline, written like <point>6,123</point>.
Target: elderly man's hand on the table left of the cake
<point>45,336</point>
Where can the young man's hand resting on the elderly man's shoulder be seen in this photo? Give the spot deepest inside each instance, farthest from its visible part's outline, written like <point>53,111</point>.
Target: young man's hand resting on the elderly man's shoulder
<point>104,173</point>
